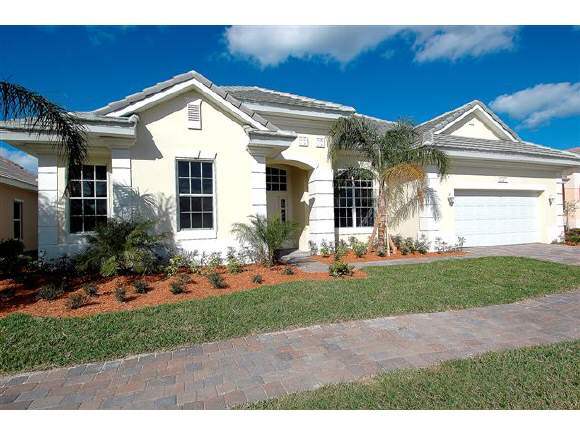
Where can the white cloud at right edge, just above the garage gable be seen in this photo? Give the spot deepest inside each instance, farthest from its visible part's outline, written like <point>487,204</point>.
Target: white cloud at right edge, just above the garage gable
<point>541,103</point>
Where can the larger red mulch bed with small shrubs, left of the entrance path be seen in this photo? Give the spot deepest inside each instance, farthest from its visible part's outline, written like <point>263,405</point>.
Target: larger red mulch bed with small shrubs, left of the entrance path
<point>25,300</point>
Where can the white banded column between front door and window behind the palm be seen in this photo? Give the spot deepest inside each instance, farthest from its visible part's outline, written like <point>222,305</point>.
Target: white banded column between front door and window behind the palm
<point>321,202</point>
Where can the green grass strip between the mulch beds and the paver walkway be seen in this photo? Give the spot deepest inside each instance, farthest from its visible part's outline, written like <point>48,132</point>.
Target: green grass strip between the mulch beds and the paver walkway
<point>27,342</point>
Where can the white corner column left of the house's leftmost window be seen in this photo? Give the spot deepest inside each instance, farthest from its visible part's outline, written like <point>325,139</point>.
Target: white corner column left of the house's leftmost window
<point>47,206</point>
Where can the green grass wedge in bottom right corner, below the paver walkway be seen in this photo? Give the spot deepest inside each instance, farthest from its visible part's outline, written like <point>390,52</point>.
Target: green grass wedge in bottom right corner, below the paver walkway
<point>546,377</point>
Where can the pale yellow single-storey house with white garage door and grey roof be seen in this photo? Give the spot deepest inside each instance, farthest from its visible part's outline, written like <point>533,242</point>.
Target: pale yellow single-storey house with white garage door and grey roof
<point>198,157</point>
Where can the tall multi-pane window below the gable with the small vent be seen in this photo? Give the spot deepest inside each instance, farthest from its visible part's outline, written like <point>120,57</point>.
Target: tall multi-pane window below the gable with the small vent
<point>195,192</point>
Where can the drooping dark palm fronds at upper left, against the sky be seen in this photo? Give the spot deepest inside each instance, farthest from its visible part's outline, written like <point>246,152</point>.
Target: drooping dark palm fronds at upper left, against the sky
<point>38,115</point>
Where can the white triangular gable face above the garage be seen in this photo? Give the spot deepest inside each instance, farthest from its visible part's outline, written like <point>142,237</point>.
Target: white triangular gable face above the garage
<point>477,123</point>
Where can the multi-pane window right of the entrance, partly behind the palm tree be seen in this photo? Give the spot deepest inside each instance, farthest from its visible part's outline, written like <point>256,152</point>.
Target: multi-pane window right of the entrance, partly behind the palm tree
<point>353,202</point>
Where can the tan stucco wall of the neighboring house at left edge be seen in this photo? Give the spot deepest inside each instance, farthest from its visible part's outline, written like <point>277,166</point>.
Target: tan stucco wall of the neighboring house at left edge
<point>8,194</point>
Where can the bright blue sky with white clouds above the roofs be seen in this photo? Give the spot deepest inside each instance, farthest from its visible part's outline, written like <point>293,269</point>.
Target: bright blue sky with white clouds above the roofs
<point>529,75</point>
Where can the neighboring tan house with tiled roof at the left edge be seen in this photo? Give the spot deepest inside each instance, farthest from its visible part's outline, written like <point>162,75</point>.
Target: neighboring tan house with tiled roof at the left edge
<point>18,204</point>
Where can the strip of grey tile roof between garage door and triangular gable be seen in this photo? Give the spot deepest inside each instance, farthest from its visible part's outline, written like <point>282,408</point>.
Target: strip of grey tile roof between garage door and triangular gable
<point>519,147</point>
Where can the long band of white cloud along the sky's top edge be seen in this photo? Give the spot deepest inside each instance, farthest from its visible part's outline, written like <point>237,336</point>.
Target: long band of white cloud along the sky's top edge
<point>272,45</point>
